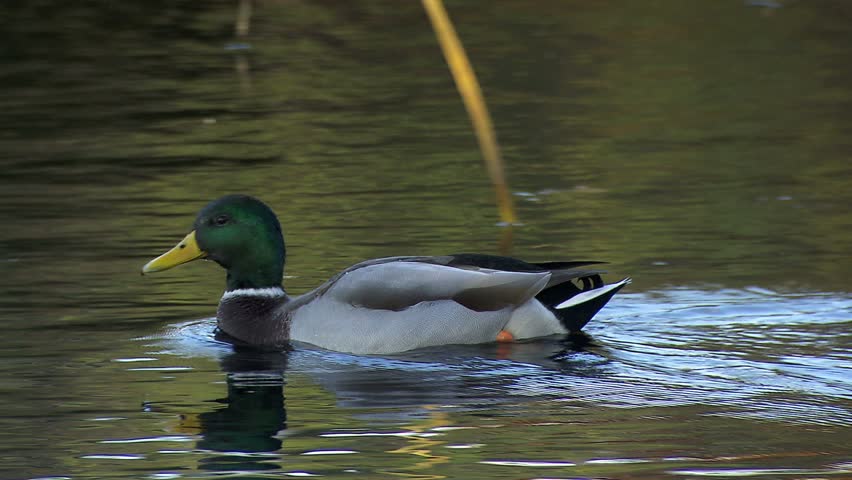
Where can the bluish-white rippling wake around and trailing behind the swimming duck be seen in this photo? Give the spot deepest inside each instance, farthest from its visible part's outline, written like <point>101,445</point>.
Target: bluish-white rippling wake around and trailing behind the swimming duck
<point>750,353</point>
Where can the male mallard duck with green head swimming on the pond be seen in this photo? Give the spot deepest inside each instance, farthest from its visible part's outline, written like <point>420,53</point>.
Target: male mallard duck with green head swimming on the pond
<point>384,305</point>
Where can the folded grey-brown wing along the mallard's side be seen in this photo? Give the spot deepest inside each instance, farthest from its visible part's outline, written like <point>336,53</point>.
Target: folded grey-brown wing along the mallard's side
<point>400,282</point>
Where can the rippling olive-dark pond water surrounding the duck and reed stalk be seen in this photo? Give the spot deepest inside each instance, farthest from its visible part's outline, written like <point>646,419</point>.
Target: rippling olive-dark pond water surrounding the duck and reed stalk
<point>702,148</point>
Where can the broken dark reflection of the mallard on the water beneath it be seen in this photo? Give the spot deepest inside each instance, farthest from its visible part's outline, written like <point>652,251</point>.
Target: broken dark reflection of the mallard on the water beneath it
<point>243,431</point>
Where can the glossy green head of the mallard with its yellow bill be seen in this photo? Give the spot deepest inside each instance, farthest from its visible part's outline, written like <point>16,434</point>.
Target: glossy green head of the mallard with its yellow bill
<point>238,232</point>
